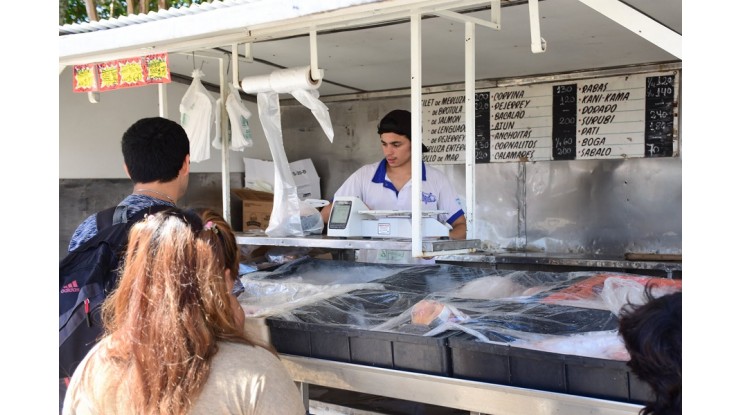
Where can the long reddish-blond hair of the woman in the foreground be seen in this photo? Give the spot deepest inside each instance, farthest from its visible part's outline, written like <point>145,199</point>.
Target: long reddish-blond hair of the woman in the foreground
<point>169,310</point>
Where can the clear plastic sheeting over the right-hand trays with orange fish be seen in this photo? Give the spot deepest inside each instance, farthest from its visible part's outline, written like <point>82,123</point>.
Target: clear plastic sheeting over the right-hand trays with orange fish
<point>570,313</point>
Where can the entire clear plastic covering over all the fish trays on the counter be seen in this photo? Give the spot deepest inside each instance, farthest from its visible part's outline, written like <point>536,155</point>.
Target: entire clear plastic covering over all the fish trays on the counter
<point>572,313</point>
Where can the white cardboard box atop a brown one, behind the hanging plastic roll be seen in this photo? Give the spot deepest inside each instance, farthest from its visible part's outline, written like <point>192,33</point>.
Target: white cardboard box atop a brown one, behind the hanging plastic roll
<point>261,174</point>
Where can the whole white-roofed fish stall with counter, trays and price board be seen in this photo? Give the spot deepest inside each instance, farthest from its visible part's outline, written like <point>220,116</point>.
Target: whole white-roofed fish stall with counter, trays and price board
<point>563,225</point>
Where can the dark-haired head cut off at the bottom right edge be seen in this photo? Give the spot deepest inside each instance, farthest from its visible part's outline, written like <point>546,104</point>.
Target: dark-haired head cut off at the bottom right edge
<point>652,336</point>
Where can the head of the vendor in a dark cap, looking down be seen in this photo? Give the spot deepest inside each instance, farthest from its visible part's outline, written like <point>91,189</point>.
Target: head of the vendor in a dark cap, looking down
<point>395,137</point>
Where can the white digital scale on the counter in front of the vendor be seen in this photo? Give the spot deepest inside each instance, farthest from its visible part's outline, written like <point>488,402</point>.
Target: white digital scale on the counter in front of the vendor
<point>350,217</point>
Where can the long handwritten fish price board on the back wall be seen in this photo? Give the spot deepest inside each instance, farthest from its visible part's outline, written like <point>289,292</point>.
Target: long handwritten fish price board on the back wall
<point>617,117</point>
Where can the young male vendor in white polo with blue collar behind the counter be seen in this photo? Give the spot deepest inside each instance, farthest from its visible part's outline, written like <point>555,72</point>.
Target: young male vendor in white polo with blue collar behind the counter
<point>386,185</point>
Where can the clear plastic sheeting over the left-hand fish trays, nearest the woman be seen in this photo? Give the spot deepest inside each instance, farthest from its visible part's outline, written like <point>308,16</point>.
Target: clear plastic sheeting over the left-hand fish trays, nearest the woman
<point>343,292</point>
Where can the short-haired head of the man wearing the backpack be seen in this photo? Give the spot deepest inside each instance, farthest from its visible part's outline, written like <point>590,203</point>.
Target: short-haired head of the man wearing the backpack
<point>156,150</point>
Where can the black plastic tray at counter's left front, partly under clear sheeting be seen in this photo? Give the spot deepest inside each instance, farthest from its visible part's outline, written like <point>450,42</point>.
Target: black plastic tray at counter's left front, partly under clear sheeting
<point>338,328</point>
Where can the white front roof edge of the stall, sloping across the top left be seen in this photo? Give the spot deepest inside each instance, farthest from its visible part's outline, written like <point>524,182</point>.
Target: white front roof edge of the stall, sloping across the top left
<point>226,26</point>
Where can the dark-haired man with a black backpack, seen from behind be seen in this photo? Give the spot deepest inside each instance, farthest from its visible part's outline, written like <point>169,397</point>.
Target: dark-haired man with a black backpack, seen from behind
<point>156,154</point>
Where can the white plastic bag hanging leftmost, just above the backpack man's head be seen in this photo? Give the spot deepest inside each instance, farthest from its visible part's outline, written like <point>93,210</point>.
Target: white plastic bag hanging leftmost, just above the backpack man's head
<point>196,117</point>
